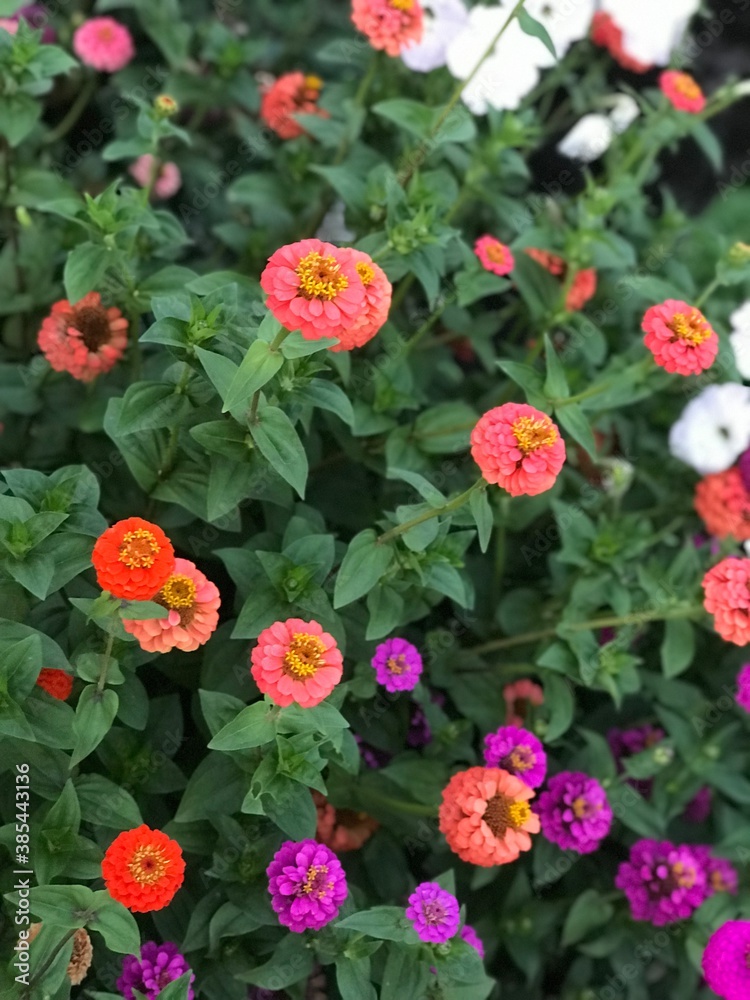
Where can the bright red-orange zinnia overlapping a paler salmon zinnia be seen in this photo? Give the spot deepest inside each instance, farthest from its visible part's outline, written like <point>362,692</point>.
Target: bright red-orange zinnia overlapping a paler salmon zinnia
<point>133,559</point>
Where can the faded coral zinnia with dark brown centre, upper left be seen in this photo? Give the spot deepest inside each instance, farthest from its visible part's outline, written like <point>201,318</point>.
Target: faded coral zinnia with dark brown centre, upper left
<point>84,339</point>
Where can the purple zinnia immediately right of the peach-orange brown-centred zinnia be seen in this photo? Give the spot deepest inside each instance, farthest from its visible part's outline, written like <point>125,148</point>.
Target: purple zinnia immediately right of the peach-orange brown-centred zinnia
<point>574,812</point>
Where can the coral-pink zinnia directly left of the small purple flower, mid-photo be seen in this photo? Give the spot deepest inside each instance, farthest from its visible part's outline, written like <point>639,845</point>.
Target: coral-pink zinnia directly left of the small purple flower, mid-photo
<point>296,661</point>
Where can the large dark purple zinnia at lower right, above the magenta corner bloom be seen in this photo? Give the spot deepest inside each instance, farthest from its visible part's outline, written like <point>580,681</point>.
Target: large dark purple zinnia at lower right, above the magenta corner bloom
<point>664,882</point>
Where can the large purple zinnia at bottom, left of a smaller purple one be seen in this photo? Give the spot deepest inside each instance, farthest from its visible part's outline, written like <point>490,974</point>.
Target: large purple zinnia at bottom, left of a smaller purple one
<point>307,885</point>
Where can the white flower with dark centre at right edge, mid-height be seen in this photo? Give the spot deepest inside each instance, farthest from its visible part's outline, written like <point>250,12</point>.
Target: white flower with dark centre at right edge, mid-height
<point>714,428</point>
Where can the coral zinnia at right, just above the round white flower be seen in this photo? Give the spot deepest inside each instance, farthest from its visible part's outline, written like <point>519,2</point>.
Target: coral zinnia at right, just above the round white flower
<point>679,337</point>
